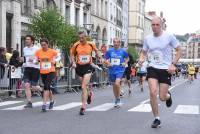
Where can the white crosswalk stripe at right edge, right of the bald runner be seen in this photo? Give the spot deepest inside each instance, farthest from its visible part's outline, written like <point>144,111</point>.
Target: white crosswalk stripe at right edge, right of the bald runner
<point>187,109</point>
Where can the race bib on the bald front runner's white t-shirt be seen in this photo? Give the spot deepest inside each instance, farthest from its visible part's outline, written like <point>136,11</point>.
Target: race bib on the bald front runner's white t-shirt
<point>156,57</point>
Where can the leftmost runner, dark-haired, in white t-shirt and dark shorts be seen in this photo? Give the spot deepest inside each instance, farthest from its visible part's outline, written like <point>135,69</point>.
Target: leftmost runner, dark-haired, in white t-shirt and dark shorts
<point>31,70</point>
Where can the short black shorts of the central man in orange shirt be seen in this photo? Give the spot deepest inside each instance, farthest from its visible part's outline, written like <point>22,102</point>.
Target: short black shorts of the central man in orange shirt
<point>81,70</point>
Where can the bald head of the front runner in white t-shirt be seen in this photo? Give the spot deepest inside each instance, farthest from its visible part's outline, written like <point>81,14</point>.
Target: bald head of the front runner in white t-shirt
<point>156,25</point>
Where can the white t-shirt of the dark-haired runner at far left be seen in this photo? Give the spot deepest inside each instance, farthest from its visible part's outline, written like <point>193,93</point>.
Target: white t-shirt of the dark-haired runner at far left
<point>29,53</point>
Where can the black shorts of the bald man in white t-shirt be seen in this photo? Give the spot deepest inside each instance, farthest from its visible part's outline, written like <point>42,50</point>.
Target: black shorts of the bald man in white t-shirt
<point>160,74</point>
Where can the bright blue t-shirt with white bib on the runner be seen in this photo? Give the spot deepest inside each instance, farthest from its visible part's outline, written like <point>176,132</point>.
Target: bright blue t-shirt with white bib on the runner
<point>116,57</point>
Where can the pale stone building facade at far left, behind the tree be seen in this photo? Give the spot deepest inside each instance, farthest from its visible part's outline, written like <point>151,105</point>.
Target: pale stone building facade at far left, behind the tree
<point>16,14</point>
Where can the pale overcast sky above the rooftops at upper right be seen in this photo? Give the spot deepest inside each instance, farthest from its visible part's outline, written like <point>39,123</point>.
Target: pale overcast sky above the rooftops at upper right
<point>182,16</point>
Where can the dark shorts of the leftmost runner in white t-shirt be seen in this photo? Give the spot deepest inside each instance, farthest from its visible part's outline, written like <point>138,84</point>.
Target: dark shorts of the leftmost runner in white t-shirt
<point>31,75</point>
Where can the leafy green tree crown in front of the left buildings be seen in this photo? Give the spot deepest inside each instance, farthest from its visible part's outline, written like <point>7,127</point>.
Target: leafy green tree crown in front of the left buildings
<point>51,25</point>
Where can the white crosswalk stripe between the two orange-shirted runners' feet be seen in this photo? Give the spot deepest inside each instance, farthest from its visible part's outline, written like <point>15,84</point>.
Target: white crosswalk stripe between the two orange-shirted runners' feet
<point>67,106</point>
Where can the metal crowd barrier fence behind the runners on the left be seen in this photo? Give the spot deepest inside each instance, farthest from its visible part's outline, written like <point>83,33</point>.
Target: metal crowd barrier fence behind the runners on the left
<point>11,79</point>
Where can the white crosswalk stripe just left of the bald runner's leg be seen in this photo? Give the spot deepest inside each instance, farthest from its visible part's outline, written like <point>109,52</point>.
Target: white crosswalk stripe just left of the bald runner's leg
<point>141,108</point>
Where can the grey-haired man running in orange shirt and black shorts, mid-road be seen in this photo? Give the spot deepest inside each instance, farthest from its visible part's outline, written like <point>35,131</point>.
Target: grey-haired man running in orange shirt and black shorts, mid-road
<point>81,57</point>
